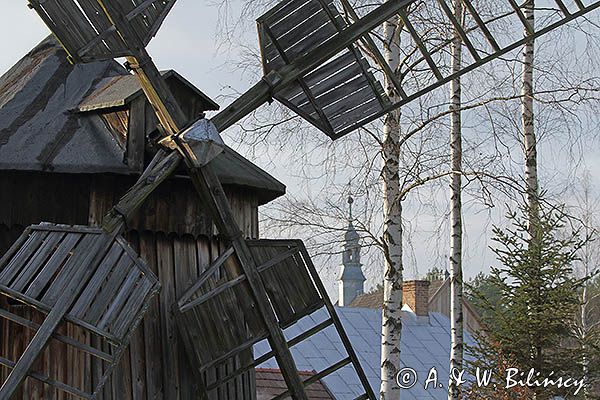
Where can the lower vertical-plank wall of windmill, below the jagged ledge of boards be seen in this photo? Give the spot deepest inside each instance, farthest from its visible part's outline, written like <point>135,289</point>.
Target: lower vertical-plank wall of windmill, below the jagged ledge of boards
<point>146,365</point>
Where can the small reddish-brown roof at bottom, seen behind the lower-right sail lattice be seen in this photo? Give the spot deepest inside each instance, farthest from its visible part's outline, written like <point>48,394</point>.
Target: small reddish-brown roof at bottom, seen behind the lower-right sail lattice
<point>270,384</point>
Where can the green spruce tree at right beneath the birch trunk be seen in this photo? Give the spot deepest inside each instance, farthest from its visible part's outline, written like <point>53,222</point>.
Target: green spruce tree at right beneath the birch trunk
<point>530,324</point>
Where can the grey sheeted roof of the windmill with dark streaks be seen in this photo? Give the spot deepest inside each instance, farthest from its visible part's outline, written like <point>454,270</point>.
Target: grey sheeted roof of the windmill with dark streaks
<point>42,129</point>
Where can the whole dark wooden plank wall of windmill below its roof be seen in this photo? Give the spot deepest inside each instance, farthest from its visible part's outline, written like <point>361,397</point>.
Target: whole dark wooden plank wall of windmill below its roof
<point>177,240</point>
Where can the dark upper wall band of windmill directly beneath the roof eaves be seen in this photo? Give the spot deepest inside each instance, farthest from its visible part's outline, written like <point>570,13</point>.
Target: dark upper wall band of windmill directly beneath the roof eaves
<point>85,199</point>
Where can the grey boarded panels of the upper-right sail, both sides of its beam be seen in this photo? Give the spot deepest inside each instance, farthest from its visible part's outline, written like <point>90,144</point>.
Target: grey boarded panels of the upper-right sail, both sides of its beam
<point>343,86</point>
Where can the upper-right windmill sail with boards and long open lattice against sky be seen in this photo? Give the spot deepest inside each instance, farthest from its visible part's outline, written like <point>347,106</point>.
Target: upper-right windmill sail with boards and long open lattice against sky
<point>312,54</point>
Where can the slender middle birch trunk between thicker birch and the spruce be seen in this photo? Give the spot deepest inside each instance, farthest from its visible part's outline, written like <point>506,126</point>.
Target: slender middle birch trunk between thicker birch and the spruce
<point>456,276</point>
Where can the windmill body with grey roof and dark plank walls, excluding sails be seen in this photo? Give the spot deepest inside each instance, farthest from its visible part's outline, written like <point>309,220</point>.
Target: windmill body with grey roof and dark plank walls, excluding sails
<point>72,141</point>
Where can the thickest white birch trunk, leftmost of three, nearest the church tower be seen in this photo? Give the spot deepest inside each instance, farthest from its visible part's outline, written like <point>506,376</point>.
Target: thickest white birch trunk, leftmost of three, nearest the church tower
<point>392,231</point>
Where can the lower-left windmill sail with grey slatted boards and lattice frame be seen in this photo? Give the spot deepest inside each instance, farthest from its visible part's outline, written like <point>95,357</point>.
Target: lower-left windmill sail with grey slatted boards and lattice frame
<point>78,276</point>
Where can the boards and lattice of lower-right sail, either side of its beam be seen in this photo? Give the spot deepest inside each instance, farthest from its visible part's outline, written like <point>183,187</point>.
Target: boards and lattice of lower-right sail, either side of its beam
<point>218,300</point>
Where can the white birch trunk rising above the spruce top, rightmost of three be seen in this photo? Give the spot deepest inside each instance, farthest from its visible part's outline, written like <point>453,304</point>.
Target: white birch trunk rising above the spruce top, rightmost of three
<point>529,138</point>
